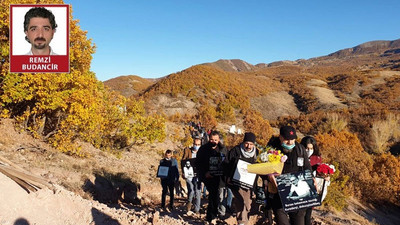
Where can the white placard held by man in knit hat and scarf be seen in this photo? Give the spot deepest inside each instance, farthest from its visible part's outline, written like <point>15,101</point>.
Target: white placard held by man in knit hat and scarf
<point>242,177</point>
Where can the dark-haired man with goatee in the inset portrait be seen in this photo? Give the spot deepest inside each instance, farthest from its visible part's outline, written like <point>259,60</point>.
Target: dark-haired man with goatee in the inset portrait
<point>39,28</point>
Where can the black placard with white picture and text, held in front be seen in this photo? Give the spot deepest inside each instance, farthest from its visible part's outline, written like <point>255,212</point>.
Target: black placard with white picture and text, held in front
<point>297,191</point>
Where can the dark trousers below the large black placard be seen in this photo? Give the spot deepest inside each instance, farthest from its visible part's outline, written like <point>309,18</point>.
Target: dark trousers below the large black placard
<point>283,218</point>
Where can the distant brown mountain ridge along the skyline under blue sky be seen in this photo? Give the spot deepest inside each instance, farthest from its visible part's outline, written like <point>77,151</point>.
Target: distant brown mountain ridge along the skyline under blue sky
<point>367,56</point>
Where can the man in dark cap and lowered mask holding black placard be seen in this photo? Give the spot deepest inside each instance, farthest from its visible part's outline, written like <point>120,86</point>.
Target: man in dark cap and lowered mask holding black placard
<point>297,161</point>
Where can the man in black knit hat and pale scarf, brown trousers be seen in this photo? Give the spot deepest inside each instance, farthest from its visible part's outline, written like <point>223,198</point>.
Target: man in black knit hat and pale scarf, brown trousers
<point>247,152</point>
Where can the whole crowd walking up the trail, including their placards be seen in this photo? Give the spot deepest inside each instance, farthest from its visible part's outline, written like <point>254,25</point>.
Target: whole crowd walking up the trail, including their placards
<point>209,166</point>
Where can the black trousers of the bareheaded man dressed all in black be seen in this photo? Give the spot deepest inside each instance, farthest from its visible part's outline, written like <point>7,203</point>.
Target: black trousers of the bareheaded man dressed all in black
<point>213,198</point>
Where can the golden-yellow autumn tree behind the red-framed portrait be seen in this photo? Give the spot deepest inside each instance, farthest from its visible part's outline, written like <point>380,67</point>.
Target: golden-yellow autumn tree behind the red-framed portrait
<point>62,108</point>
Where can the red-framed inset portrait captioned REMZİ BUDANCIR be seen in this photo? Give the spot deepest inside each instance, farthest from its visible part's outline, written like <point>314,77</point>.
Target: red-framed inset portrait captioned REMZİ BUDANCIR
<point>39,38</point>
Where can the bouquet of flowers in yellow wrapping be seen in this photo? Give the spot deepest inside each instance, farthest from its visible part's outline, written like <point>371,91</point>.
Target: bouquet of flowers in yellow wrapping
<point>269,161</point>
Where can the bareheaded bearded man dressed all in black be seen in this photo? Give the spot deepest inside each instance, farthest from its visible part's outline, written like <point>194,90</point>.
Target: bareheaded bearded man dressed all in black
<point>209,164</point>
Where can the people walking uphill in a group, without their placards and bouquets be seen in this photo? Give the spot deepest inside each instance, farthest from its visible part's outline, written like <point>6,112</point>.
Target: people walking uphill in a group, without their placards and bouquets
<point>214,166</point>
